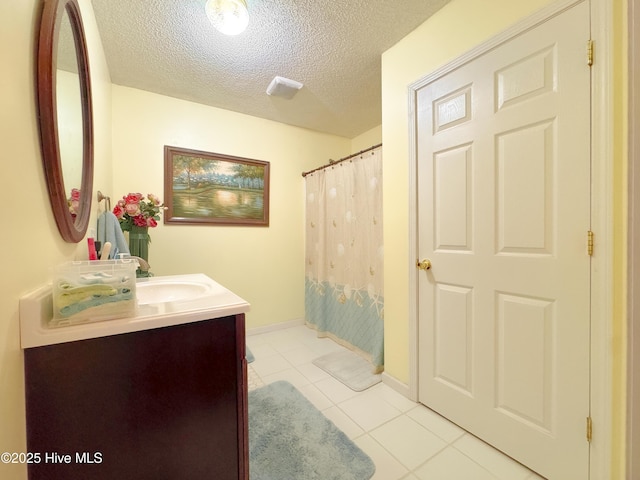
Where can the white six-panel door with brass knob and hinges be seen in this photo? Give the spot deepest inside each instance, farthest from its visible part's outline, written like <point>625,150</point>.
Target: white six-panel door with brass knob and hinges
<point>503,151</point>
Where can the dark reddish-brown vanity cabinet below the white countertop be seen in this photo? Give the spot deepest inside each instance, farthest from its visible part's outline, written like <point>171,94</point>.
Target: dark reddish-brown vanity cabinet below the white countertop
<point>164,403</point>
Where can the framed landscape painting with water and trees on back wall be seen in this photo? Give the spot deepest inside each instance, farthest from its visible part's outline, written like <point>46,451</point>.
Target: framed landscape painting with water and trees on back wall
<point>211,188</point>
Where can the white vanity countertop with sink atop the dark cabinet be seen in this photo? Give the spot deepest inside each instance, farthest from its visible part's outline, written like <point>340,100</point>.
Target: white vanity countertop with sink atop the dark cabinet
<point>215,301</point>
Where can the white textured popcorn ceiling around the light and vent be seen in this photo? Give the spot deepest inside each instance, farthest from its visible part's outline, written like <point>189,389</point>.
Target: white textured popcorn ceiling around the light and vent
<point>334,48</point>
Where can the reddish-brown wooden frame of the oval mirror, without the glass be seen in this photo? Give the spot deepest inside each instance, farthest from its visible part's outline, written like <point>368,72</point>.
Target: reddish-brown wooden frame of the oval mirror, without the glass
<point>71,228</point>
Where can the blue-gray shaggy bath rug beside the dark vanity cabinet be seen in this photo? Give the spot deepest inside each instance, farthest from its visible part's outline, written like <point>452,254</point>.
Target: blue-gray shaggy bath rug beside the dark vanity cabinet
<point>290,439</point>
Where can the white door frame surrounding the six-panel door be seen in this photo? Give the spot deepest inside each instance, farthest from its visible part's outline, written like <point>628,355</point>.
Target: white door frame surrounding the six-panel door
<point>601,218</point>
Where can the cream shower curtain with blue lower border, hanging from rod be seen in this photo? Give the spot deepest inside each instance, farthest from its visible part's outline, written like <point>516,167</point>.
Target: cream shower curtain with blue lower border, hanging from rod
<point>344,254</point>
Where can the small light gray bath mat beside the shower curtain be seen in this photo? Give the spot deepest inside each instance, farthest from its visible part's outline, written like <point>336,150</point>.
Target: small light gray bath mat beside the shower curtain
<point>349,368</point>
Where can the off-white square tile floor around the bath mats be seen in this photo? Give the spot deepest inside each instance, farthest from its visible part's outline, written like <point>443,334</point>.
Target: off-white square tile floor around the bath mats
<point>404,439</point>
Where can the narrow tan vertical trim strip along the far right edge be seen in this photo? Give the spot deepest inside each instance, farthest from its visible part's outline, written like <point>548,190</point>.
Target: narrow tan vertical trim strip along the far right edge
<point>633,359</point>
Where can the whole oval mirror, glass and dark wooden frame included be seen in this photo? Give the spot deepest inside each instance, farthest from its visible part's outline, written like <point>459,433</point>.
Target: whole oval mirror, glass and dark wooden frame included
<point>65,116</point>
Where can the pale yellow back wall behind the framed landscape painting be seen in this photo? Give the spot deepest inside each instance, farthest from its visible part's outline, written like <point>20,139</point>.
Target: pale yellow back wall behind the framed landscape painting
<point>263,265</point>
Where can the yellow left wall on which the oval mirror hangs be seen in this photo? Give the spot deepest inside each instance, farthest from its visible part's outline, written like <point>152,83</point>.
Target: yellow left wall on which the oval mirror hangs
<point>30,239</point>
